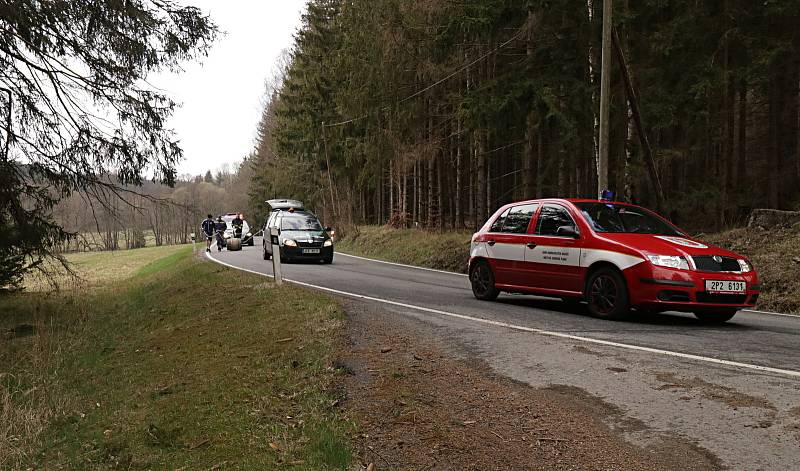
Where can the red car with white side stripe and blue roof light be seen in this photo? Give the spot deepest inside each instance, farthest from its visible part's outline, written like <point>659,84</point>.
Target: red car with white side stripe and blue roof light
<point>615,256</point>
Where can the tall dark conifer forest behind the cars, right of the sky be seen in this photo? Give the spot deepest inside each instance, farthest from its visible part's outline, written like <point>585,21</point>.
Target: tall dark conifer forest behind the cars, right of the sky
<point>436,112</point>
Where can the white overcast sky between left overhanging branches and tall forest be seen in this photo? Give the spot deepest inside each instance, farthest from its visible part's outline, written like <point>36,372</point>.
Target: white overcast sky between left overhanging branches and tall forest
<point>221,98</point>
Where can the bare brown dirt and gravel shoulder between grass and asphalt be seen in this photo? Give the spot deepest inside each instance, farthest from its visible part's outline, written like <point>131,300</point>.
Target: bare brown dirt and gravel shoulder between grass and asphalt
<point>419,406</point>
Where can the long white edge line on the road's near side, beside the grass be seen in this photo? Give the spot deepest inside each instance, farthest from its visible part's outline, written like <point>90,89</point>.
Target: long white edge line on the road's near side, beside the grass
<point>687,356</point>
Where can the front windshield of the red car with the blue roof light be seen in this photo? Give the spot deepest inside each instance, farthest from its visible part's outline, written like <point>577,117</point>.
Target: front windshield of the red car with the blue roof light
<point>618,218</point>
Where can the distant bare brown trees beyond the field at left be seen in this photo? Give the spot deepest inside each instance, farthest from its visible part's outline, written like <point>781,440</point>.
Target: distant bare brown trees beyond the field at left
<point>126,217</point>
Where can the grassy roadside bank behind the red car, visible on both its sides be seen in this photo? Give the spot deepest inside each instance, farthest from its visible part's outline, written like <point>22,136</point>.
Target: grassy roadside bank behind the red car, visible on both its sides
<point>775,254</point>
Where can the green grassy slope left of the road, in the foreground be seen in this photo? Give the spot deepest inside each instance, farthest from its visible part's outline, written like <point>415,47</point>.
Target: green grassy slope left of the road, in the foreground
<point>185,363</point>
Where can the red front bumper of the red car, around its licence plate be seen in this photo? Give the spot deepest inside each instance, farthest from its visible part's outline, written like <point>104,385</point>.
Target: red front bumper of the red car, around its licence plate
<point>667,289</point>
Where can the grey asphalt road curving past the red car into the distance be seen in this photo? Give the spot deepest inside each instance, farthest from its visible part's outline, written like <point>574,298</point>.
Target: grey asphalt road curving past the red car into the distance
<point>732,389</point>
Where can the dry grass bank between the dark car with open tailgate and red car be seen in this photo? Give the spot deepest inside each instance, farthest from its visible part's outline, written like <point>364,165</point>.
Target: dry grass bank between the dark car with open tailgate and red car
<point>441,250</point>
